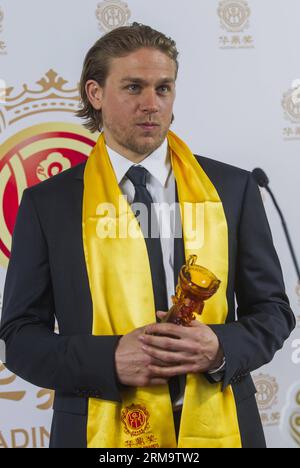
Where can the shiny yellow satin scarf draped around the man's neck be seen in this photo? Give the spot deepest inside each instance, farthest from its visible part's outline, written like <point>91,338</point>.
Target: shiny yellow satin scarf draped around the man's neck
<point>122,295</point>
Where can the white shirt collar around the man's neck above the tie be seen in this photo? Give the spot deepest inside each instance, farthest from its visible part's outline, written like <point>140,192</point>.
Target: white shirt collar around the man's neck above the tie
<point>157,163</point>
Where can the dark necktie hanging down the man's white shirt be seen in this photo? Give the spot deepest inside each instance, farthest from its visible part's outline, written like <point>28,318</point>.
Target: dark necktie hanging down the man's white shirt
<point>138,176</point>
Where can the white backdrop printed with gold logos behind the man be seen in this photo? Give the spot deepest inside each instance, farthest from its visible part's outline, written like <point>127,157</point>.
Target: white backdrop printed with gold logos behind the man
<point>237,68</point>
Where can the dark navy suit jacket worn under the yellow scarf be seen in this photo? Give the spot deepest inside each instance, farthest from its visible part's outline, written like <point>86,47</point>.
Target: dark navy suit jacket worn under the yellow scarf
<point>47,278</point>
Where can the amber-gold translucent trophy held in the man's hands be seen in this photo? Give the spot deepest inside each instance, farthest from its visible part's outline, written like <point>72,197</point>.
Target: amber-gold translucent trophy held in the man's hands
<point>195,285</point>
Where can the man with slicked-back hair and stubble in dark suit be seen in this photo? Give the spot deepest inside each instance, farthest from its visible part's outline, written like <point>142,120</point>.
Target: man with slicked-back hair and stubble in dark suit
<point>128,91</point>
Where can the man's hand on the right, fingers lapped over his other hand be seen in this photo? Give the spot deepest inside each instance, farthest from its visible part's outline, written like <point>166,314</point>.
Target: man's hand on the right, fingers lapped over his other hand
<point>181,350</point>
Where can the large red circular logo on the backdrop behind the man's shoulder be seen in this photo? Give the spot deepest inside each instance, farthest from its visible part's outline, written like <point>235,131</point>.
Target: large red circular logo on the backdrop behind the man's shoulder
<point>29,158</point>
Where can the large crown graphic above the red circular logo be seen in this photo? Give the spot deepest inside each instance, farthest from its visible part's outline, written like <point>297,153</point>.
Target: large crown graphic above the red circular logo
<point>51,97</point>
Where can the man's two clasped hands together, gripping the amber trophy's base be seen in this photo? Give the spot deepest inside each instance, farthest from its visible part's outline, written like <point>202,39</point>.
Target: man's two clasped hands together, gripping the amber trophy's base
<point>145,360</point>
